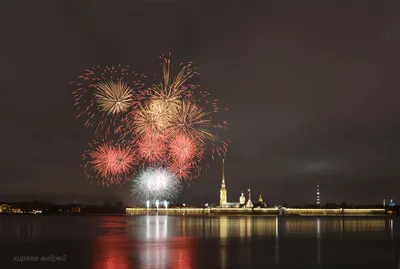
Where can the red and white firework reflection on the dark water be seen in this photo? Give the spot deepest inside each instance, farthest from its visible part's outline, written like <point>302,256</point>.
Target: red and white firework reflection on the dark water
<point>116,250</point>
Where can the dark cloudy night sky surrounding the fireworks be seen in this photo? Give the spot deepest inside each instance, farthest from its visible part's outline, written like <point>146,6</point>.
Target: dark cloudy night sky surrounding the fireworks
<point>313,93</point>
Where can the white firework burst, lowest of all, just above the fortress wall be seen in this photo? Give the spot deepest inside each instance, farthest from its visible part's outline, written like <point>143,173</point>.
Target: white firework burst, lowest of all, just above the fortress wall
<point>155,183</point>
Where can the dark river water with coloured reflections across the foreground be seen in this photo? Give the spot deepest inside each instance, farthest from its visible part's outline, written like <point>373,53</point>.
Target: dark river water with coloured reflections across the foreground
<point>188,242</point>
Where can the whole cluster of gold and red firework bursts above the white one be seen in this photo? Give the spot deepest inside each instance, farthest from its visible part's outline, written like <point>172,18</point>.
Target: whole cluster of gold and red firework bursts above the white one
<point>172,124</point>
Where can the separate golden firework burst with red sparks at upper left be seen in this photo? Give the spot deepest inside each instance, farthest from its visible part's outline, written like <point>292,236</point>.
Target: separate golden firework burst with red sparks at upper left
<point>93,97</point>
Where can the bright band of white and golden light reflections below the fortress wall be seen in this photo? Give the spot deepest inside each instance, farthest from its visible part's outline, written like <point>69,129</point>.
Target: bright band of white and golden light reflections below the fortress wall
<point>249,226</point>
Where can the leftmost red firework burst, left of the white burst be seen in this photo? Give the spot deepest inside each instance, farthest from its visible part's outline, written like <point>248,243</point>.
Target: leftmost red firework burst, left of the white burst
<point>110,164</point>
